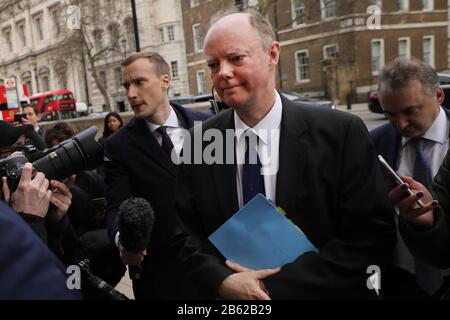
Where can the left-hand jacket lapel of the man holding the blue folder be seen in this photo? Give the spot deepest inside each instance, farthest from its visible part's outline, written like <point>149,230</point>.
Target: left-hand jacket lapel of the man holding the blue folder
<point>224,175</point>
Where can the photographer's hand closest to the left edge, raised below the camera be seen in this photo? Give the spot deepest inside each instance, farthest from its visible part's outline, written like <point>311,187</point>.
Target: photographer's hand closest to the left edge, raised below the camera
<point>32,195</point>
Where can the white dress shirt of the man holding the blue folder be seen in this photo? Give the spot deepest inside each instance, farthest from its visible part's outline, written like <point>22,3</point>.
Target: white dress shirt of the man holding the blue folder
<point>268,132</point>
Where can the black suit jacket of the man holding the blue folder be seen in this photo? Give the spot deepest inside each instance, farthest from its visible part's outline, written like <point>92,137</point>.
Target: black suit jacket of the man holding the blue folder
<point>328,183</point>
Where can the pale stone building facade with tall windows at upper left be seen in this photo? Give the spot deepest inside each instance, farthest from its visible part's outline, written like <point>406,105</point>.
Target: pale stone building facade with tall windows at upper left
<point>33,42</point>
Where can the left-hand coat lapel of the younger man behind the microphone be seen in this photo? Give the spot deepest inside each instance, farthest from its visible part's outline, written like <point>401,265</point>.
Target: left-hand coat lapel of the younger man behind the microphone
<point>141,136</point>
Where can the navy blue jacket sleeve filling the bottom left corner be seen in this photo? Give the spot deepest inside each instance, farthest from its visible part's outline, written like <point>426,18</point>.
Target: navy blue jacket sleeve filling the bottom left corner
<point>28,270</point>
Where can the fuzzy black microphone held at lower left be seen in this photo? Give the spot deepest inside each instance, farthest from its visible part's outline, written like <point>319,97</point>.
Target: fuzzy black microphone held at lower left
<point>135,221</point>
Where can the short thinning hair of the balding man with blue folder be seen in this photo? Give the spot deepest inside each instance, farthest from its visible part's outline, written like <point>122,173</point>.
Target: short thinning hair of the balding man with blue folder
<point>259,23</point>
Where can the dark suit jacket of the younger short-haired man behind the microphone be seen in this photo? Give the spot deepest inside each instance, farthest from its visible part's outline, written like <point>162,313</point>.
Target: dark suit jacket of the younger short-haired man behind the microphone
<point>140,168</point>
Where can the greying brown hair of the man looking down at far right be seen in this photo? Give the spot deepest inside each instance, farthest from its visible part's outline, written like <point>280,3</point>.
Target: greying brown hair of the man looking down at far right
<point>401,72</point>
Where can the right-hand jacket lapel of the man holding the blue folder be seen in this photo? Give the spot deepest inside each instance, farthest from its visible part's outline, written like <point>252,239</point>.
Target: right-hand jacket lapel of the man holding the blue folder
<point>292,156</point>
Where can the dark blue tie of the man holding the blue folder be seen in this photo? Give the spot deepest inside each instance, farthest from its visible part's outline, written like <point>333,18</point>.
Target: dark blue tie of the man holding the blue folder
<point>252,180</point>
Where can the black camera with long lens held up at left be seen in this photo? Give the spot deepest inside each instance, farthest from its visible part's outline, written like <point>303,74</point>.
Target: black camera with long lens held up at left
<point>58,163</point>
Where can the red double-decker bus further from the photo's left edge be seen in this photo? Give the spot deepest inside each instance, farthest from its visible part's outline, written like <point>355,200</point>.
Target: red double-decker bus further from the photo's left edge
<point>55,105</point>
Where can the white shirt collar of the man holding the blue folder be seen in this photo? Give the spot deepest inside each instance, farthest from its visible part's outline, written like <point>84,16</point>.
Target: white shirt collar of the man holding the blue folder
<point>267,125</point>
